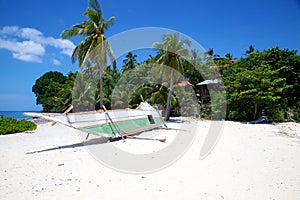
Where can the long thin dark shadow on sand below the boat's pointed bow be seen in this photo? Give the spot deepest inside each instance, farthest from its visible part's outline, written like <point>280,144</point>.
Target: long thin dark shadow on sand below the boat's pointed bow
<point>94,141</point>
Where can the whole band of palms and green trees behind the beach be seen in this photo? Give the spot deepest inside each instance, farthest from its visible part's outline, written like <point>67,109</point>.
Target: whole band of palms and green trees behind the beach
<point>260,83</point>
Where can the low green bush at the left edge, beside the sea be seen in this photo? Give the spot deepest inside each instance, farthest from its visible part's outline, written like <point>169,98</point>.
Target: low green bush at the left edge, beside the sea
<point>11,125</point>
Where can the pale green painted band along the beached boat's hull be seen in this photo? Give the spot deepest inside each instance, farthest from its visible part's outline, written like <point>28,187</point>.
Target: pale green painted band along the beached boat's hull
<point>123,126</point>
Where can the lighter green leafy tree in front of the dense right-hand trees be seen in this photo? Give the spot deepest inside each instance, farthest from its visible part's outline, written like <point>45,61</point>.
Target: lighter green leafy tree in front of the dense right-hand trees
<point>254,92</point>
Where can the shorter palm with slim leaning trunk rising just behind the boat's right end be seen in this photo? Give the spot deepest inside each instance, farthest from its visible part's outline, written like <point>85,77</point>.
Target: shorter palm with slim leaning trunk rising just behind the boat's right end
<point>171,53</point>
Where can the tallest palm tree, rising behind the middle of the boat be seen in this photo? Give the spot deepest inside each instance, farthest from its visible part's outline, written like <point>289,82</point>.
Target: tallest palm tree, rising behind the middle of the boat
<point>93,31</point>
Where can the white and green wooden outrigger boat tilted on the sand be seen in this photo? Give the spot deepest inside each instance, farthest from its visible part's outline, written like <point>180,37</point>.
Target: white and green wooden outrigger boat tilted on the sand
<point>121,123</point>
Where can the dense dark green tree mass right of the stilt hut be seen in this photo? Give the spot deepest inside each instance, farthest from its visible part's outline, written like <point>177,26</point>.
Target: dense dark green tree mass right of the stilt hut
<point>263,83</point>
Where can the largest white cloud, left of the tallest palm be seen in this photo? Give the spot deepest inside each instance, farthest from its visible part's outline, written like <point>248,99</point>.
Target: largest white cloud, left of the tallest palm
<point>28,44</point>
